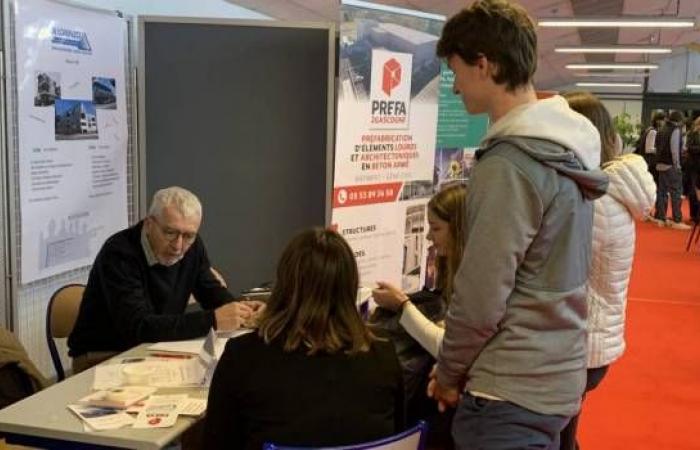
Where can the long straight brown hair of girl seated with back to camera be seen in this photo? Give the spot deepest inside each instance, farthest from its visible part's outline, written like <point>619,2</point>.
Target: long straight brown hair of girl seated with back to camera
<point>312,305</point>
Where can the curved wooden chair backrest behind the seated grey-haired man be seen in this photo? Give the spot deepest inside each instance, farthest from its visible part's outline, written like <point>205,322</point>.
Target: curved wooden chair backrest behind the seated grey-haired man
<point>61,315</point>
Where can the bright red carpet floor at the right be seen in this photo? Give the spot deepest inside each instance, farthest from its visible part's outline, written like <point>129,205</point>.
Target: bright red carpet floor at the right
<point>650,399</point>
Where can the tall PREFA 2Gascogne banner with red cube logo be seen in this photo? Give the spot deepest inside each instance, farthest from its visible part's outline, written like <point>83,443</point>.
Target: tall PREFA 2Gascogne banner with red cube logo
<point>388,92</point>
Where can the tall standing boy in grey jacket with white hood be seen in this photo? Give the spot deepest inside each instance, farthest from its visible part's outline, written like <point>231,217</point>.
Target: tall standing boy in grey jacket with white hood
<point>513,356</point>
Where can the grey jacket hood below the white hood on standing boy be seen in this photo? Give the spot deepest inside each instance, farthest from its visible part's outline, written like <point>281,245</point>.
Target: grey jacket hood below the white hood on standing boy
<point>593,183</point>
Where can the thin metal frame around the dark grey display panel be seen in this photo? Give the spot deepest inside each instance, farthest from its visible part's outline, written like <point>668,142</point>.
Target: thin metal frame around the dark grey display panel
<point>141,87</point>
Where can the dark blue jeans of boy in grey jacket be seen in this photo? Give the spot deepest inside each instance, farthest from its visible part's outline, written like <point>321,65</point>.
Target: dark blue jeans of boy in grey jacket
<point>482,424</point>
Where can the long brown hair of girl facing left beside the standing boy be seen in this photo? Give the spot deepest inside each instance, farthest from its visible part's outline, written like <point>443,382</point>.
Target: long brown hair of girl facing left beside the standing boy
<point>449,205</point>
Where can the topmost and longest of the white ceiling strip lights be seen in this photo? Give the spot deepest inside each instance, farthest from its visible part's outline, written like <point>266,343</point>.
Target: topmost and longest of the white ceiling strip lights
<point>629,21</point>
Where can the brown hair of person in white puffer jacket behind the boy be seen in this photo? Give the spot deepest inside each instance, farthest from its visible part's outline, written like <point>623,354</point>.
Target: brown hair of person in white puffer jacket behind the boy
<point>589,106</point>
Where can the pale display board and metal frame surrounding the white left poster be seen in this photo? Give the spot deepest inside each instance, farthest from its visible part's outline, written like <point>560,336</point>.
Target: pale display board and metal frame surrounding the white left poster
<point>23,318</point>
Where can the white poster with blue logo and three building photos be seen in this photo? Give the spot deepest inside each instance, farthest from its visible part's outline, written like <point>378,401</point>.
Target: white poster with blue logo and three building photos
<point>72,135</point>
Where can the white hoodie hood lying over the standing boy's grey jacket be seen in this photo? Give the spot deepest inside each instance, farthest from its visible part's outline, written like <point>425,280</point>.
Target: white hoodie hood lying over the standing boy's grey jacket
<point>552,120</point>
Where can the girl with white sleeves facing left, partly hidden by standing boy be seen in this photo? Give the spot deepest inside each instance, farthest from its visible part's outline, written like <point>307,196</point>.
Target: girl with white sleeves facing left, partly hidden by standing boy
<point>415,322</point>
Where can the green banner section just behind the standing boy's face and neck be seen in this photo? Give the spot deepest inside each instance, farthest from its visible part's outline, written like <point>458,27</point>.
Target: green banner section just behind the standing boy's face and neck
<point>456,128</point>
